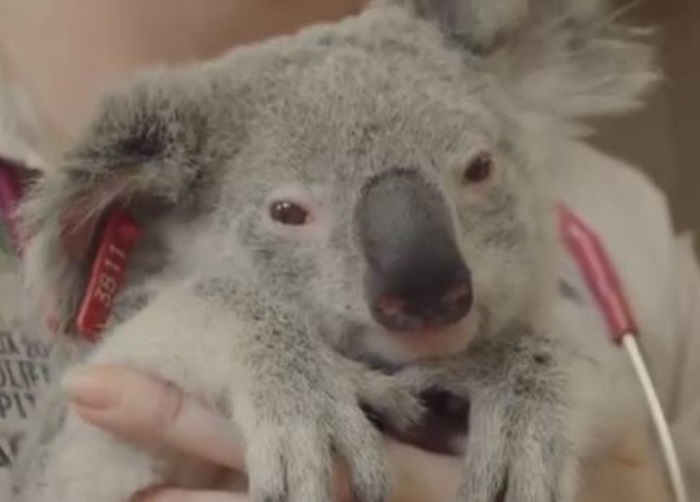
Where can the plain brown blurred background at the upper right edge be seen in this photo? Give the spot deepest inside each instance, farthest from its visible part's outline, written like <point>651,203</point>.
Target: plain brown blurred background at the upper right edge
<point>664,138</point>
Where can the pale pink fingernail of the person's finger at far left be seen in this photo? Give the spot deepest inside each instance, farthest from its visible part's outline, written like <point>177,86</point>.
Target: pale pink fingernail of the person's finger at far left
<point>93,389</point>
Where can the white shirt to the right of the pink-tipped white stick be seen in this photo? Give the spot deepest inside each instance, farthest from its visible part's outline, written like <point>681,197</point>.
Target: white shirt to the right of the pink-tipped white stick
<point>660,275</point>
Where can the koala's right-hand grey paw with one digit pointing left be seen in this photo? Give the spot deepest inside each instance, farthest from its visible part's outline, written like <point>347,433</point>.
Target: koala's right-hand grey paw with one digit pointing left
<point>521,445</point>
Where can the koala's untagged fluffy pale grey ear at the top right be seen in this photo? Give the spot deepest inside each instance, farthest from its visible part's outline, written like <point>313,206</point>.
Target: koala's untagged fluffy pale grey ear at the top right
<point>567,59</point>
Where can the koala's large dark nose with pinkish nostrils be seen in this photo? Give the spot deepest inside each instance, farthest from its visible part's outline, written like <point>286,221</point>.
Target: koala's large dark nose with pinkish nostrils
<point>416,277</point>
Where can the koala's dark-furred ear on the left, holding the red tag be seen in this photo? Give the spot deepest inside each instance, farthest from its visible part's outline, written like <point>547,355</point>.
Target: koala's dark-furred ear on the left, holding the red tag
<point>142,152</point>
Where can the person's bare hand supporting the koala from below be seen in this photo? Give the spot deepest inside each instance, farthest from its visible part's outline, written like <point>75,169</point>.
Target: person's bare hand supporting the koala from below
<point>145,410</point>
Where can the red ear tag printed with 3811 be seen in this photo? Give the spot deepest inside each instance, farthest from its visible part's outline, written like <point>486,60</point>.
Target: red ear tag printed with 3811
<point>118,239</point>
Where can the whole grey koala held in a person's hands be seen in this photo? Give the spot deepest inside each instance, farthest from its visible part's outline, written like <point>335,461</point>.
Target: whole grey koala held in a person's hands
<point>321,207</point>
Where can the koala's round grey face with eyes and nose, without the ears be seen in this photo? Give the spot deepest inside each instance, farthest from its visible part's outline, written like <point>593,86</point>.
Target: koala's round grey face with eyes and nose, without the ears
<point>387,189</point>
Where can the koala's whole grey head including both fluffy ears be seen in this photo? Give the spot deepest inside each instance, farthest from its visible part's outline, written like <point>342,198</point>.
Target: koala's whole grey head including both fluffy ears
<point>387,174</point>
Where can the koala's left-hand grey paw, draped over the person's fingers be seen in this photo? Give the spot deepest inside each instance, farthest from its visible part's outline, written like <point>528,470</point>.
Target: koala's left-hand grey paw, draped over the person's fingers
<point>295,427</point>
